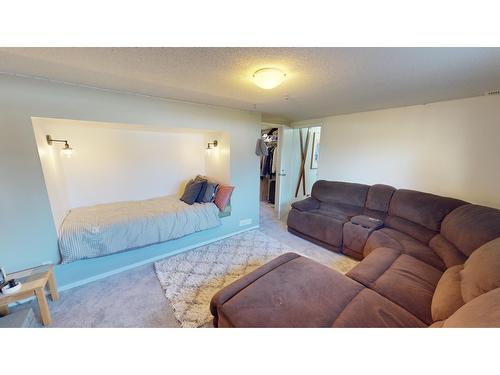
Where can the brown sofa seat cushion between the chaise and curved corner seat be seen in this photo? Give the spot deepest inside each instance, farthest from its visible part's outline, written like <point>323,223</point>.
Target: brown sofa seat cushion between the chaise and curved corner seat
<point>406,281</point>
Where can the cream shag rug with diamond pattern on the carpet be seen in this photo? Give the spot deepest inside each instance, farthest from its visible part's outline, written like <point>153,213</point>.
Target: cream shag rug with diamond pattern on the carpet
<point>191,279</point>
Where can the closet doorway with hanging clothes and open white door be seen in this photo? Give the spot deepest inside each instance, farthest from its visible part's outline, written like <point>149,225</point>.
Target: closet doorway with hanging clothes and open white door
<point>275,182</point>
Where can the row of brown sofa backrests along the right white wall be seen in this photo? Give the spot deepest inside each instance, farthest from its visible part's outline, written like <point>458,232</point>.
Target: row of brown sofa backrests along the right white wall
<point>453,228</point>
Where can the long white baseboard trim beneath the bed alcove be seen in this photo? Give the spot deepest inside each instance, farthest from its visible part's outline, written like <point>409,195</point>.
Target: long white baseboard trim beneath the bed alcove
<point>151,260</point>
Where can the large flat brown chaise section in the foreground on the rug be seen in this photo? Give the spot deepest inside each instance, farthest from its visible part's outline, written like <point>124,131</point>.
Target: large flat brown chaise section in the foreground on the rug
<point>294,291</point>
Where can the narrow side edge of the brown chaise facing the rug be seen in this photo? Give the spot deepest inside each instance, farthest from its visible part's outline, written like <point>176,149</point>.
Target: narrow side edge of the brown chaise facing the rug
<point>226,293</point>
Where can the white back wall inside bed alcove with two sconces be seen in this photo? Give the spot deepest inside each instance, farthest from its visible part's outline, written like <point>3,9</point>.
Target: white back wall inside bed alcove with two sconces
<point>120,162</point>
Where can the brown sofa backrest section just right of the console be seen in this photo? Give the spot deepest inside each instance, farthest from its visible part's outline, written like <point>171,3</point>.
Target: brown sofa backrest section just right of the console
<point>419,214</point>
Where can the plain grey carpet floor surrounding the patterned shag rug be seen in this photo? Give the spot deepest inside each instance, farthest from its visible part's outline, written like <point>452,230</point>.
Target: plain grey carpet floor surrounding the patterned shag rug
<point>135,298</point>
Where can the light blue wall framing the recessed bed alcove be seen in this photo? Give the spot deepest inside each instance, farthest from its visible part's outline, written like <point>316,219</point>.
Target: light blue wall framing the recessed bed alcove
<point>28,236</point>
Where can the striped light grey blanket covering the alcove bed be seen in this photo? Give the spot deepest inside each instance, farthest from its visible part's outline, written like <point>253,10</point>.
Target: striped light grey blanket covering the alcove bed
<point>89,232</point>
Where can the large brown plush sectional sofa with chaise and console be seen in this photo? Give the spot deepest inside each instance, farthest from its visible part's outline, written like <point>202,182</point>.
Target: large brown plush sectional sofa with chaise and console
<point>428,261</point>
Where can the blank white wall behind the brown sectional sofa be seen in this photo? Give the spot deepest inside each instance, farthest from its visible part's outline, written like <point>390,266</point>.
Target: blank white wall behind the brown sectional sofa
<point>449,148</point>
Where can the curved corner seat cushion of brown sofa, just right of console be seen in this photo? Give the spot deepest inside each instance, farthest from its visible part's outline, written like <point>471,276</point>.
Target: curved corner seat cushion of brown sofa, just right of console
<point>388,237</point>
